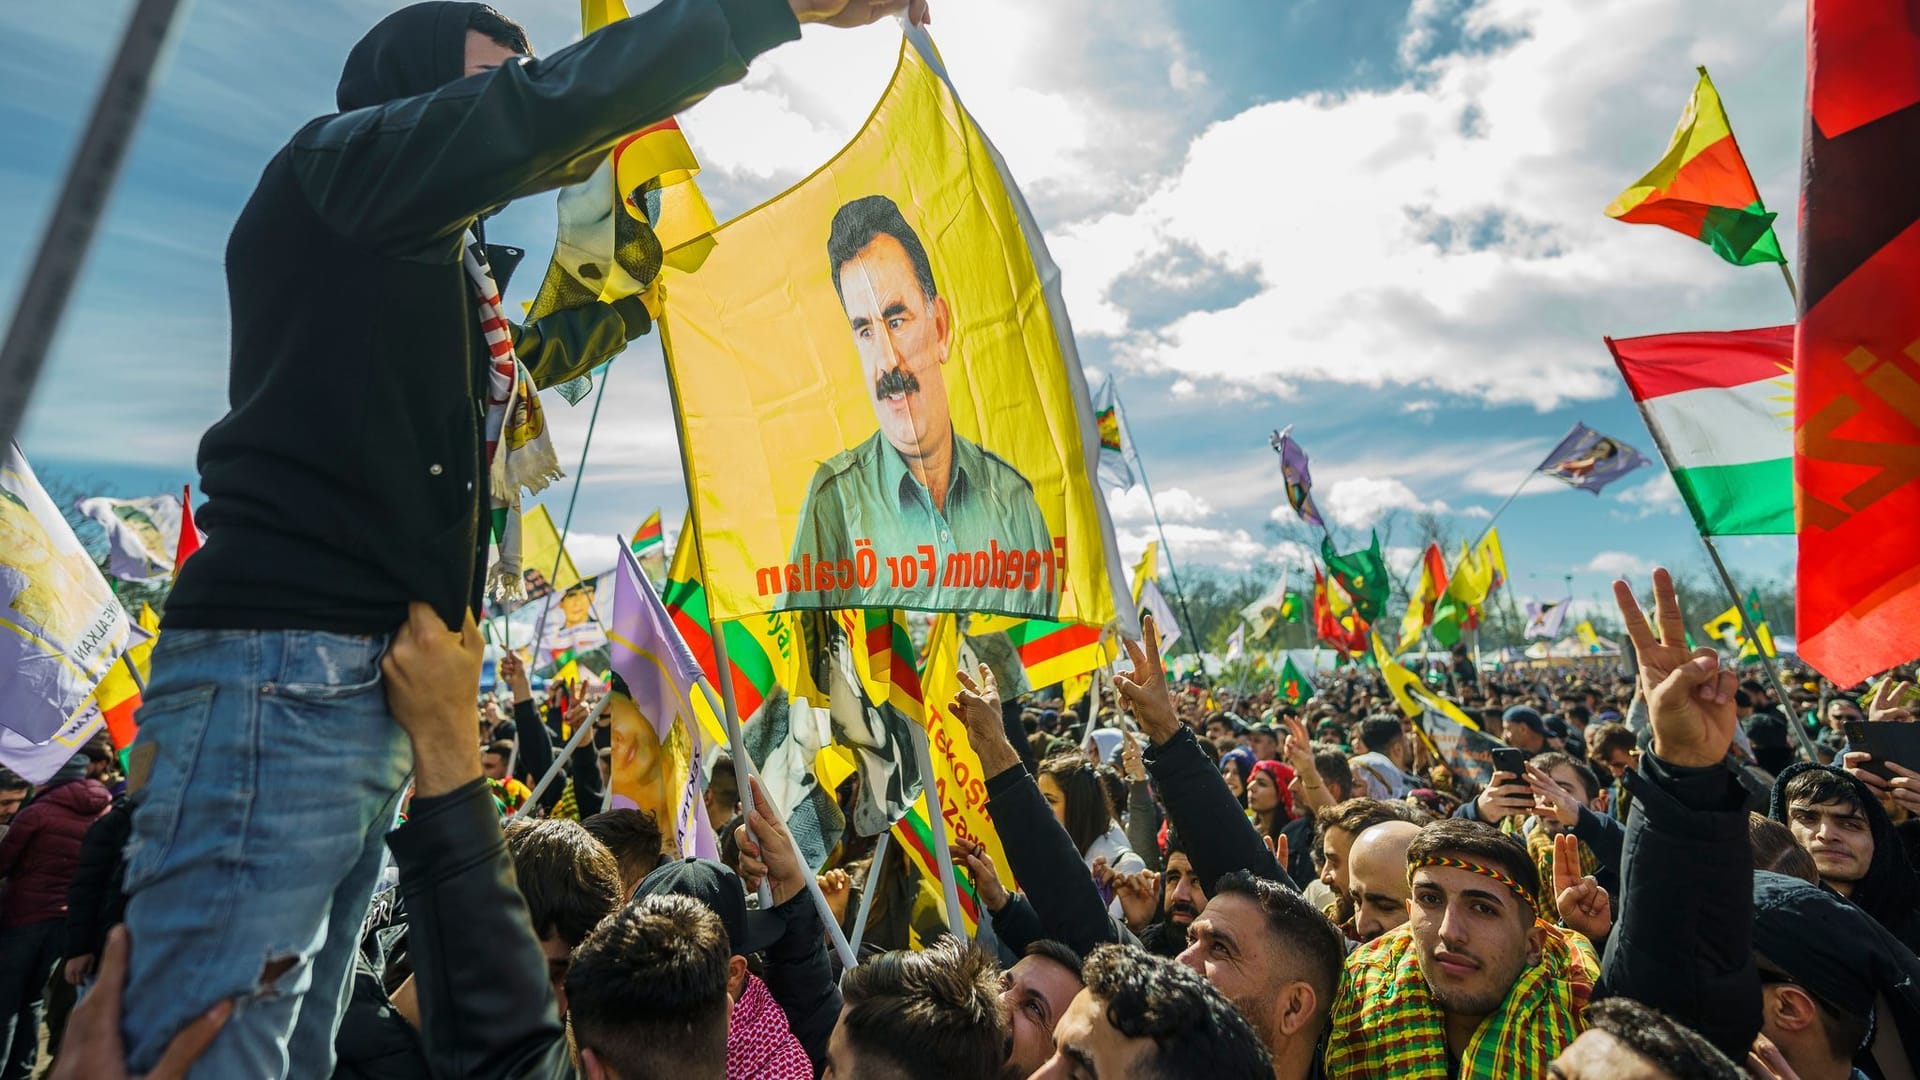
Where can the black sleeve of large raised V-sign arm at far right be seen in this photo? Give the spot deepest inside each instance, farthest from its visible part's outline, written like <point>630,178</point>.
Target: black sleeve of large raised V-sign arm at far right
<point>1683,933</point>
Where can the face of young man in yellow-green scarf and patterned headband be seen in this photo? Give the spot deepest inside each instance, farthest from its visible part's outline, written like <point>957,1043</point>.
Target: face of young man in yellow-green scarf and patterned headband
<point>1476,939</point>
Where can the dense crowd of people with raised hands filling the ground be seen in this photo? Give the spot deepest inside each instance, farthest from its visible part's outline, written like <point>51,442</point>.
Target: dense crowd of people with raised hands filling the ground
<point>1308,895</point>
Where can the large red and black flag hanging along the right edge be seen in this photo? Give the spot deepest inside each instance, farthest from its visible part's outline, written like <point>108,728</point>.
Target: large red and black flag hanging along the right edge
<point>1858,345</point>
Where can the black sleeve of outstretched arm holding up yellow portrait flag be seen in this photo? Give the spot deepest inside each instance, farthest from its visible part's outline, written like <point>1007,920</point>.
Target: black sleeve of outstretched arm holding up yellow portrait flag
<point>418,170</point>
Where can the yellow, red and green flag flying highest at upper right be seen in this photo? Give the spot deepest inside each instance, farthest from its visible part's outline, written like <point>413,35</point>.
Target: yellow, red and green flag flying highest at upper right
<point>1702,187</point>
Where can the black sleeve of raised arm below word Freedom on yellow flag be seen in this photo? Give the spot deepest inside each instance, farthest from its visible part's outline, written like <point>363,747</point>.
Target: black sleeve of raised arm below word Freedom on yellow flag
<point>1049,870</point>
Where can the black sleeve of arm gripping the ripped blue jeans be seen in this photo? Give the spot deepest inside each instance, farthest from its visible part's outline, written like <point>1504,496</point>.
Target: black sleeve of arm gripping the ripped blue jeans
<point>485,1012</point>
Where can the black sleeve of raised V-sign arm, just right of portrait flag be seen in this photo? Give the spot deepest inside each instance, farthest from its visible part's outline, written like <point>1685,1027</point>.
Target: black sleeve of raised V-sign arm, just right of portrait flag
<point>1214,829</point>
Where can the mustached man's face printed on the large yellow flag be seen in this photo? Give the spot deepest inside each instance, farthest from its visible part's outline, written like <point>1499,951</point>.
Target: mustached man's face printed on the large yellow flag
<point>901,335</point>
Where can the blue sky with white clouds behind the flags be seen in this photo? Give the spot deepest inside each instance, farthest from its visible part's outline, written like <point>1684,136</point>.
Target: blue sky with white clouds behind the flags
<point>1374,220</point>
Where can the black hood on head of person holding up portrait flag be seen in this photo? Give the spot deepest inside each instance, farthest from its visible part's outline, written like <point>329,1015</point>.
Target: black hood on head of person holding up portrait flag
<point>416,51</point>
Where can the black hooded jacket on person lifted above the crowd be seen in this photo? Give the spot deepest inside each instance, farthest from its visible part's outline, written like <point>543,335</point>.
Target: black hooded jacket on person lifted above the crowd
<point>348,476</point>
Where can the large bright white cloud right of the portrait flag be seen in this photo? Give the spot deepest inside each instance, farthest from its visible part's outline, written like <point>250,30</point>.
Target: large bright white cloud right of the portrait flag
<point>1447,233</point>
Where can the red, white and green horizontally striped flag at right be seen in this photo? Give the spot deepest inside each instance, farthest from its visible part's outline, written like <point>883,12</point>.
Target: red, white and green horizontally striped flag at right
<point>1721,412</point>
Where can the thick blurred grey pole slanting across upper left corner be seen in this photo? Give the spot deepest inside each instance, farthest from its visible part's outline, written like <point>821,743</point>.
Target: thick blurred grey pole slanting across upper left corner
<point>84,199</point>
